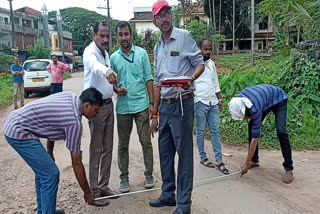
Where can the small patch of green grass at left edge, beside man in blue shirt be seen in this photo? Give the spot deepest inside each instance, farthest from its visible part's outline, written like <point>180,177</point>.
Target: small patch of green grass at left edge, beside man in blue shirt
<point>6,90</point>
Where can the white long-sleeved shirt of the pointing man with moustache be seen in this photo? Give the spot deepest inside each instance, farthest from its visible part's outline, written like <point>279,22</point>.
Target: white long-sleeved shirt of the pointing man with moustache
<point>95,70</point>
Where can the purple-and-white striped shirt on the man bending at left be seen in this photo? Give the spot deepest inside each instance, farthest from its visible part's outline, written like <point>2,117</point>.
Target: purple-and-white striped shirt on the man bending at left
<point>56,117</point>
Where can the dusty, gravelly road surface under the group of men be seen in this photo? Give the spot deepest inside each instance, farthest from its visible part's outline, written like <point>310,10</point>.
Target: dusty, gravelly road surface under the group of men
<point>260,191</point>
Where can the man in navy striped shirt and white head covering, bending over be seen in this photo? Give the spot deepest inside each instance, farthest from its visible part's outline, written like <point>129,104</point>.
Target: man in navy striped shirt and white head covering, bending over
<point>255,103</point>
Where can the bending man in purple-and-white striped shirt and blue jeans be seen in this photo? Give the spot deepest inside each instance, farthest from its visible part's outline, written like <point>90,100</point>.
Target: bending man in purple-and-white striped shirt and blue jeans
<point>56,117</point>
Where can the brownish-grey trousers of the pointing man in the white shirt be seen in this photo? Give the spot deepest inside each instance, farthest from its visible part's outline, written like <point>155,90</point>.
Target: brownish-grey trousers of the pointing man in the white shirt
<point>101,145</point>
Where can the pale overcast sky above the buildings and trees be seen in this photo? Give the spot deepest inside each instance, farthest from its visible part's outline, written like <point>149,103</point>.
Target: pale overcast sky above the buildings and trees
<point>120,9</point>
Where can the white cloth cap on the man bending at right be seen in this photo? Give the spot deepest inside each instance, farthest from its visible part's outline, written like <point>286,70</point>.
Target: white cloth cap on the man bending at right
<point>237,107</point>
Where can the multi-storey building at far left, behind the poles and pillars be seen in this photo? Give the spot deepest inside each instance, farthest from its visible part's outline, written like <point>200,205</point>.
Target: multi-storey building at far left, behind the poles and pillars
<point>29,29</point>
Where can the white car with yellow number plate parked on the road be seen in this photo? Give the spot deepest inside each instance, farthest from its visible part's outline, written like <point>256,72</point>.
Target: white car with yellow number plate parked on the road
<point>36,77</point>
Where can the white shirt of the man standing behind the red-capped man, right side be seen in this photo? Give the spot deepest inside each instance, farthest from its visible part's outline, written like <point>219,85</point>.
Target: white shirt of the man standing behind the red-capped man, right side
<point>207,85</point>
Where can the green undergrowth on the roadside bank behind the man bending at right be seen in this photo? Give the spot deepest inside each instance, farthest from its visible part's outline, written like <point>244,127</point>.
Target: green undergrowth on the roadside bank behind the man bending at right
<point>303,114</point>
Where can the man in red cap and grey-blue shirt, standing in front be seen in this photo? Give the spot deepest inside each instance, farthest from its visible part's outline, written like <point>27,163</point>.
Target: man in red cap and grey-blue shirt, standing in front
<point>175,55</point>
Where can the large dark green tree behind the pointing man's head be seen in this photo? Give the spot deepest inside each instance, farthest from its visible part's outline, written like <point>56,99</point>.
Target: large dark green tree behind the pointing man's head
<point>80,22</point>
